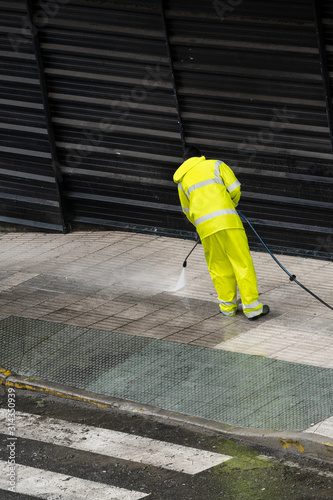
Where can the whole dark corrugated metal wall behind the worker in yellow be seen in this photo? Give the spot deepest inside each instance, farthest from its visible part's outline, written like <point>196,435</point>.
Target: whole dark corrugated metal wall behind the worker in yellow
<point>248,81</point>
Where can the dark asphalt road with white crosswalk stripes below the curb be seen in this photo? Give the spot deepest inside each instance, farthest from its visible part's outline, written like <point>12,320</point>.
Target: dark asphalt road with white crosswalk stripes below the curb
<point>63,449</point>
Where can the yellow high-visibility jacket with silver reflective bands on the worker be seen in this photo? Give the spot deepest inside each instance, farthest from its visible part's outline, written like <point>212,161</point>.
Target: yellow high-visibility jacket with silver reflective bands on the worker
<point>209,193</point>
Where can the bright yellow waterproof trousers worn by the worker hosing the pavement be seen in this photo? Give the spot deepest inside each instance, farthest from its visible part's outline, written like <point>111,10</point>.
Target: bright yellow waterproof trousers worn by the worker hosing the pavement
<point>230,263</point>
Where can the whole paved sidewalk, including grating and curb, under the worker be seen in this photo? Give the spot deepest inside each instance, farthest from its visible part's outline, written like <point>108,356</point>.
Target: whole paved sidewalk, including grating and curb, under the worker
<point>92,315</point>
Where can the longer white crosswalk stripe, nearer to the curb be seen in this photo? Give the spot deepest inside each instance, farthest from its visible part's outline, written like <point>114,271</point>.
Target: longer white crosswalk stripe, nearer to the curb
<point>113,443</point>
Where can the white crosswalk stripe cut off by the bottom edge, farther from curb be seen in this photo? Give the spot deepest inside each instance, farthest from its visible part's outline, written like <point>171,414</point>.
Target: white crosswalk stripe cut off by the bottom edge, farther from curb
<point>53,486</point>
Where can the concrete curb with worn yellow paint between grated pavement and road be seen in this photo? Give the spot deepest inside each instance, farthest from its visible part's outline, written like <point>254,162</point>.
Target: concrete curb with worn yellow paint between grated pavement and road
<point>300,443</point>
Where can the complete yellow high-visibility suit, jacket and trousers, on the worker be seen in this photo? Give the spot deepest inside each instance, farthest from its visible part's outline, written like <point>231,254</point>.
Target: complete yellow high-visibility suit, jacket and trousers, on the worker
<point>209,193</point>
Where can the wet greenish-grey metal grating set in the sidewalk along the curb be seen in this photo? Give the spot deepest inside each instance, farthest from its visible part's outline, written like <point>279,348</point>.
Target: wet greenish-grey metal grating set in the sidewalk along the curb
<point>231,388</point>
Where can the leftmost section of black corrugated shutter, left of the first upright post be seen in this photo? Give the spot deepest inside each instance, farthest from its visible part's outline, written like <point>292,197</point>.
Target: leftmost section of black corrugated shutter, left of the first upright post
<point>28,191</point>
